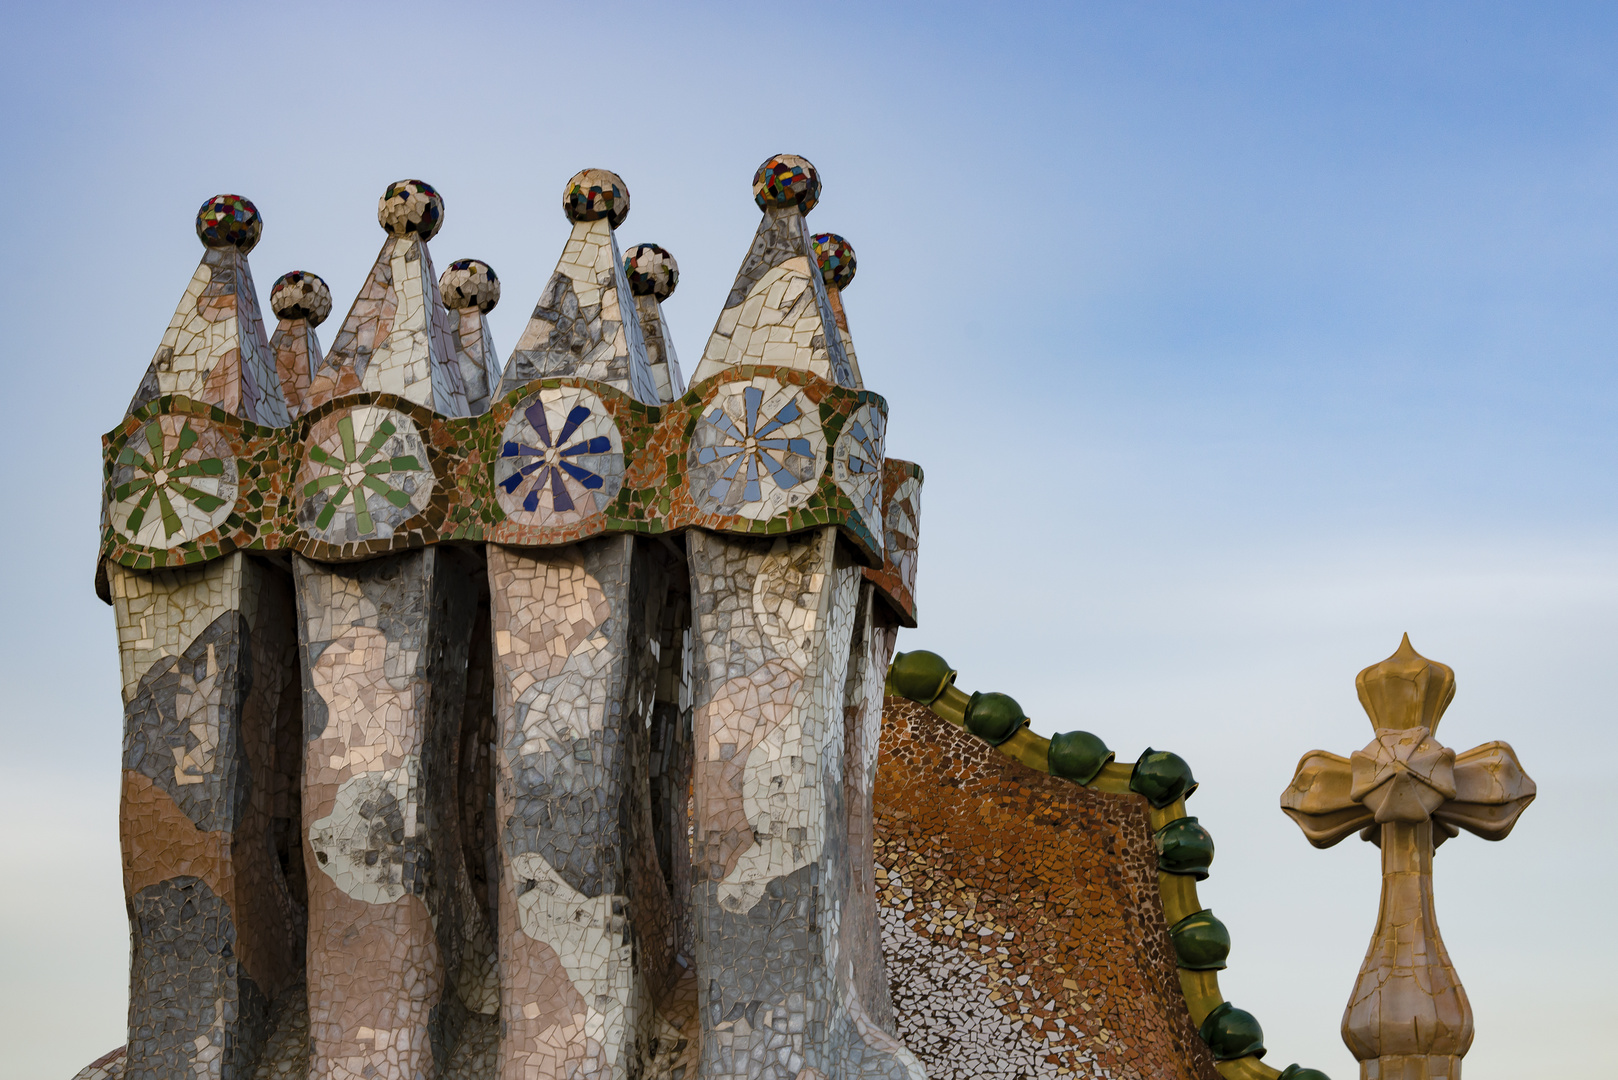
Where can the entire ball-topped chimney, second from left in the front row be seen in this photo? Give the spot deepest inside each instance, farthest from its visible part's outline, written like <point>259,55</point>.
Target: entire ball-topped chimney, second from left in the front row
<point>396,967</point>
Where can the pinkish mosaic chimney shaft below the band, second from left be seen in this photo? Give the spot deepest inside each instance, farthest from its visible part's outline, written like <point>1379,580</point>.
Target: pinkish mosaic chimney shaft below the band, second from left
<point>386,655</point>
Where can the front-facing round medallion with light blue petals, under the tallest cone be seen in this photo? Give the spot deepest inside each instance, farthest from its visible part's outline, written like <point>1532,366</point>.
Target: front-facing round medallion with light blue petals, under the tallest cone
<point>756,451</point>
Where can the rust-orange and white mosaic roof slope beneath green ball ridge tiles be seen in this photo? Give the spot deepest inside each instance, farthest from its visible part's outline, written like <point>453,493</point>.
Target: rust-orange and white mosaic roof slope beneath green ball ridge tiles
<point>1020,912</point>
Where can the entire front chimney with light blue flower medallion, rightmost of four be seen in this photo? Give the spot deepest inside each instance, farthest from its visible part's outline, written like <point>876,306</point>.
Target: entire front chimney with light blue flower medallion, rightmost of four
<point>786,653</point>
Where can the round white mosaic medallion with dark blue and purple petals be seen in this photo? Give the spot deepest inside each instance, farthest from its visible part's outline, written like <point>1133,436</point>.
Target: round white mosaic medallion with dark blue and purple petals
<point>561,459</point>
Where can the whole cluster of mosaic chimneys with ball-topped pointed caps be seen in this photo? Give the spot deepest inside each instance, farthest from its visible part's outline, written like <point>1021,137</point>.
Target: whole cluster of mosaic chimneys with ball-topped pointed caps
<point>428,661</point>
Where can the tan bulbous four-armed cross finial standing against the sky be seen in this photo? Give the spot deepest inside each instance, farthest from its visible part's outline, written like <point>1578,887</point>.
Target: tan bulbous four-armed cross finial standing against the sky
<point>1408,1018</point>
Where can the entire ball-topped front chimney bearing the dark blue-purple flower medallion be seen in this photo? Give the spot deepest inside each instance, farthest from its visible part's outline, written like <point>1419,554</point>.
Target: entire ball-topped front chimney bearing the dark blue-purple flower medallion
<point>590,645</point>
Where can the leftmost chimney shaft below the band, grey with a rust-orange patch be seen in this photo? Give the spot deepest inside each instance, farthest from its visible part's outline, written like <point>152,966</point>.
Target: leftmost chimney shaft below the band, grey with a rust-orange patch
<point>210,802</point>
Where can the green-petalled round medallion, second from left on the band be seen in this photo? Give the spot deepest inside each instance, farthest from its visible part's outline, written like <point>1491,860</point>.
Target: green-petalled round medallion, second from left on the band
<point>365,475</point>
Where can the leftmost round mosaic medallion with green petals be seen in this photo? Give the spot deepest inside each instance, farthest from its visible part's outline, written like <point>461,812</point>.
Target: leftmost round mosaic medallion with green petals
<point>174,480</point>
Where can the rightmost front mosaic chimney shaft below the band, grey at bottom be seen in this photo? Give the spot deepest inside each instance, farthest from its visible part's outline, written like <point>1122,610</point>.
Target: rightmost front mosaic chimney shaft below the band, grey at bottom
<point>776,631</point>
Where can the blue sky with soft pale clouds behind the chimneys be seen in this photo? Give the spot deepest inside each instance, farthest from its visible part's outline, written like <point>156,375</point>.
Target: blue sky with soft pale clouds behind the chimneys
<point>1235,341</point>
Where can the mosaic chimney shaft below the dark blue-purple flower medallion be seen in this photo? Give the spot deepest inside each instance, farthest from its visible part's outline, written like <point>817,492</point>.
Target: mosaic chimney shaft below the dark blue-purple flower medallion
<point>588,924</point>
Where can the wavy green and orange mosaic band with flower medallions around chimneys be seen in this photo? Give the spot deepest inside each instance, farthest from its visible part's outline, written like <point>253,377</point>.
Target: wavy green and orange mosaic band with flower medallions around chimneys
<point>188,482</point>
